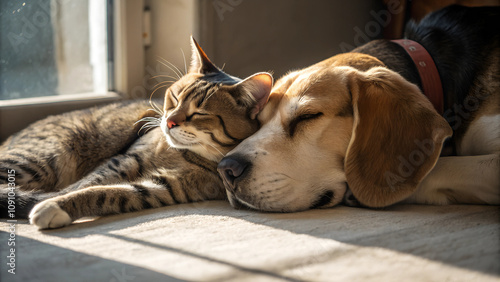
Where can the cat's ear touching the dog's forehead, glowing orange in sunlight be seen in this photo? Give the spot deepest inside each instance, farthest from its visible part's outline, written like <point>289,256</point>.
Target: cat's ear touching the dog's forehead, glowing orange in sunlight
<point>259,86</point>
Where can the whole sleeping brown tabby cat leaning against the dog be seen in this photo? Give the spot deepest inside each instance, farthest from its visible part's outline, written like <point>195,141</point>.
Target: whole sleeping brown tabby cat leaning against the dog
<point>93,163</point>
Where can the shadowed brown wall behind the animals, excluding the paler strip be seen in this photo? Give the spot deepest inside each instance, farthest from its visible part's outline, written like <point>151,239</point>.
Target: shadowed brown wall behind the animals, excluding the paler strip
<point>279,35</point>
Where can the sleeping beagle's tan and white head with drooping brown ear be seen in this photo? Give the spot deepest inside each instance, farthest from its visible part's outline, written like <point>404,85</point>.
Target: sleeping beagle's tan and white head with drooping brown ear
<point>327,127</point>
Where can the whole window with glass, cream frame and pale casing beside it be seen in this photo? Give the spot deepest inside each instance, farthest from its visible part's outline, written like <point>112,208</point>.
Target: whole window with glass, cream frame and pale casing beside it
<point>73,54</point>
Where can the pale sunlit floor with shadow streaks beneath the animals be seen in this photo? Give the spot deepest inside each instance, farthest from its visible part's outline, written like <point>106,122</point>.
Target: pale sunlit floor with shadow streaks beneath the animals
<point>213,242</point>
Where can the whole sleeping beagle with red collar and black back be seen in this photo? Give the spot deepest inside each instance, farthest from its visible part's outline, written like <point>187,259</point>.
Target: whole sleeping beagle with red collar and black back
<point>357,128</point>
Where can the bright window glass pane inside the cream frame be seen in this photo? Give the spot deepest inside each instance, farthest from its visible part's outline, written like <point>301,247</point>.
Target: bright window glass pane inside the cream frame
<point>52,47</point>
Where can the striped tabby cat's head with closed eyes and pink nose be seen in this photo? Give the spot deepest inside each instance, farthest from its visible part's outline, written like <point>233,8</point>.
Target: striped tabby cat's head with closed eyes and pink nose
<point>210,112</point>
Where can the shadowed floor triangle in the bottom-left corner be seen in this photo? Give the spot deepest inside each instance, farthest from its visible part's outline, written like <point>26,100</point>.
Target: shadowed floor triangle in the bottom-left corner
<point>35,261</point>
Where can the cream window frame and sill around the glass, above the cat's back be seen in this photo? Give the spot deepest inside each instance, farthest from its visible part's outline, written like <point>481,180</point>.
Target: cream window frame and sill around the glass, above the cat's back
<point>127,69</point>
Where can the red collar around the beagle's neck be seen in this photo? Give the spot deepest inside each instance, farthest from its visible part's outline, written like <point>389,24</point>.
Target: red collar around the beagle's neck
<point>429,75</point>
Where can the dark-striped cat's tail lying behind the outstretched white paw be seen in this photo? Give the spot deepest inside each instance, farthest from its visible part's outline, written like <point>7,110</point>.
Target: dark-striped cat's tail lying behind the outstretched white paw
<point>16,204</point>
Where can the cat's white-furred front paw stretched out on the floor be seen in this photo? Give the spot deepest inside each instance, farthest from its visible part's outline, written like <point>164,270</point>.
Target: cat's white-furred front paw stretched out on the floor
<point>48,214</point>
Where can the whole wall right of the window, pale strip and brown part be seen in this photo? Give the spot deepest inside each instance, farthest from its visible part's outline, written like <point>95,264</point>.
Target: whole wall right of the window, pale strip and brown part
<point>247,36</point>
